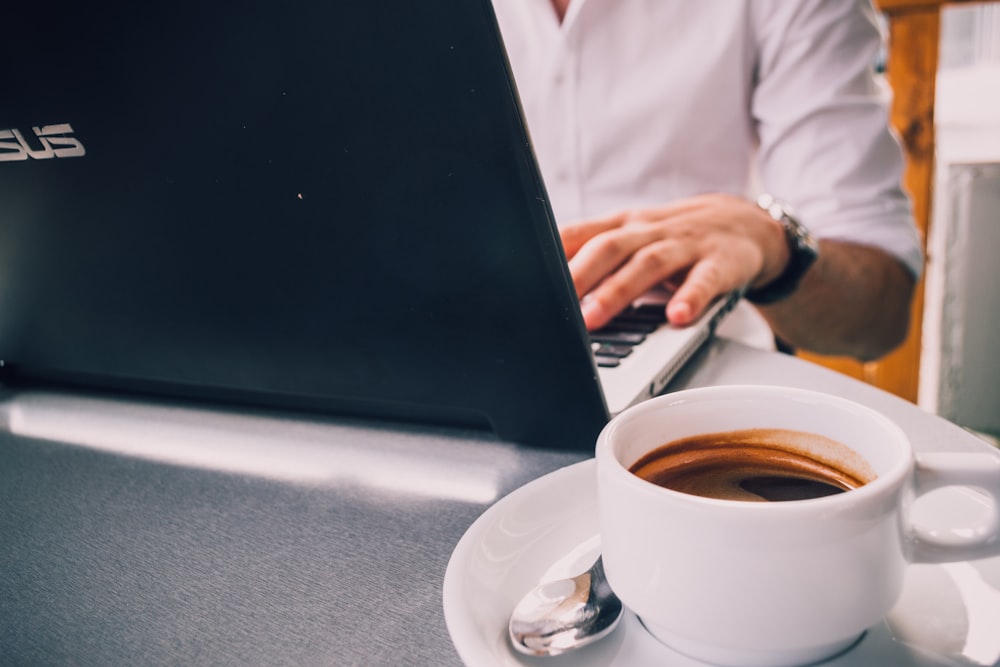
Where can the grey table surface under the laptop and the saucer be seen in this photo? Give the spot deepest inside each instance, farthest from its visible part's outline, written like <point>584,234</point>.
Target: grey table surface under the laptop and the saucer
<point>140,533</point>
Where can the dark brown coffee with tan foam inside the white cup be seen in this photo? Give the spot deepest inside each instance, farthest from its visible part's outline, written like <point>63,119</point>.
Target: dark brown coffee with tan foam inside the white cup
<point>755,465</point>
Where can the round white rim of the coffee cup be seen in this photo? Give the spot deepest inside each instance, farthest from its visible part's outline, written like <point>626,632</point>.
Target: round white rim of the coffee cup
<point>893,476</point>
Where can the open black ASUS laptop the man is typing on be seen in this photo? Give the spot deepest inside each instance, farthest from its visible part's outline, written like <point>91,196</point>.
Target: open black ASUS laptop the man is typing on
<point>296,205</point>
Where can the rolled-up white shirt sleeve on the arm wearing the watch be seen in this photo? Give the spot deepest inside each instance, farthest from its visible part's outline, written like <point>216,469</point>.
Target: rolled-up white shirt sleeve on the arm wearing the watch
<point>825,145</point>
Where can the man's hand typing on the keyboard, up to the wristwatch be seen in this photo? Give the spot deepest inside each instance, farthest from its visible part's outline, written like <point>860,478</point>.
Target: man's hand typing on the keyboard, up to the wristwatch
<point>701,247</point>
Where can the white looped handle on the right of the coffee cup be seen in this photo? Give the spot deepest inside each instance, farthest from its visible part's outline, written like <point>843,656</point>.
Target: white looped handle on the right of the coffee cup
<point>978,470</point>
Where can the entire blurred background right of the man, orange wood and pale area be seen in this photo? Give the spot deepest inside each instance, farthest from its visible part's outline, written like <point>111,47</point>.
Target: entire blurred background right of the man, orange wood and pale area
<point>941,70</point>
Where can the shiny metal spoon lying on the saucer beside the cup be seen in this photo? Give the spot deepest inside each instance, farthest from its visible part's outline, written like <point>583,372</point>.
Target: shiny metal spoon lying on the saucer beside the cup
<point>566,614</point>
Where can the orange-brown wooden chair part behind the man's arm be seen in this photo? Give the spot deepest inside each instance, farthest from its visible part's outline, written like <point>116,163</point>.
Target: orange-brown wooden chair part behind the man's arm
<point>911,69</point>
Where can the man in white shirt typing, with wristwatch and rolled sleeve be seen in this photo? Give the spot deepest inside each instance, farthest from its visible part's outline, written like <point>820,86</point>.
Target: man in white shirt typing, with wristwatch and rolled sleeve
<point>656,122</point>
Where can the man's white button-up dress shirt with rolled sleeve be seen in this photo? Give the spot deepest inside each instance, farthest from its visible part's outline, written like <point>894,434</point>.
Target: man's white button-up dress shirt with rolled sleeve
<point>639,102</point>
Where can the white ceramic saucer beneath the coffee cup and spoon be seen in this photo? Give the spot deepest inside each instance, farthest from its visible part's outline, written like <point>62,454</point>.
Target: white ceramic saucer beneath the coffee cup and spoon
<point>948,614</point>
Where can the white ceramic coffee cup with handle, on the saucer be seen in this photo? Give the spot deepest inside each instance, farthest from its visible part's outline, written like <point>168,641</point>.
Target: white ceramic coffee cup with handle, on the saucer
<point>773,583</point>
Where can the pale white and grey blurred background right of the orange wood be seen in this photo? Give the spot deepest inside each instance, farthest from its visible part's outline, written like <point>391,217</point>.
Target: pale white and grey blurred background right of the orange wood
<point>960,361</point>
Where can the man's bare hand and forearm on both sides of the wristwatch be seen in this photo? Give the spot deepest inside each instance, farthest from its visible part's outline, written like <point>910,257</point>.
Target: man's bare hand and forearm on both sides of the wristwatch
<point>855,300</point>
